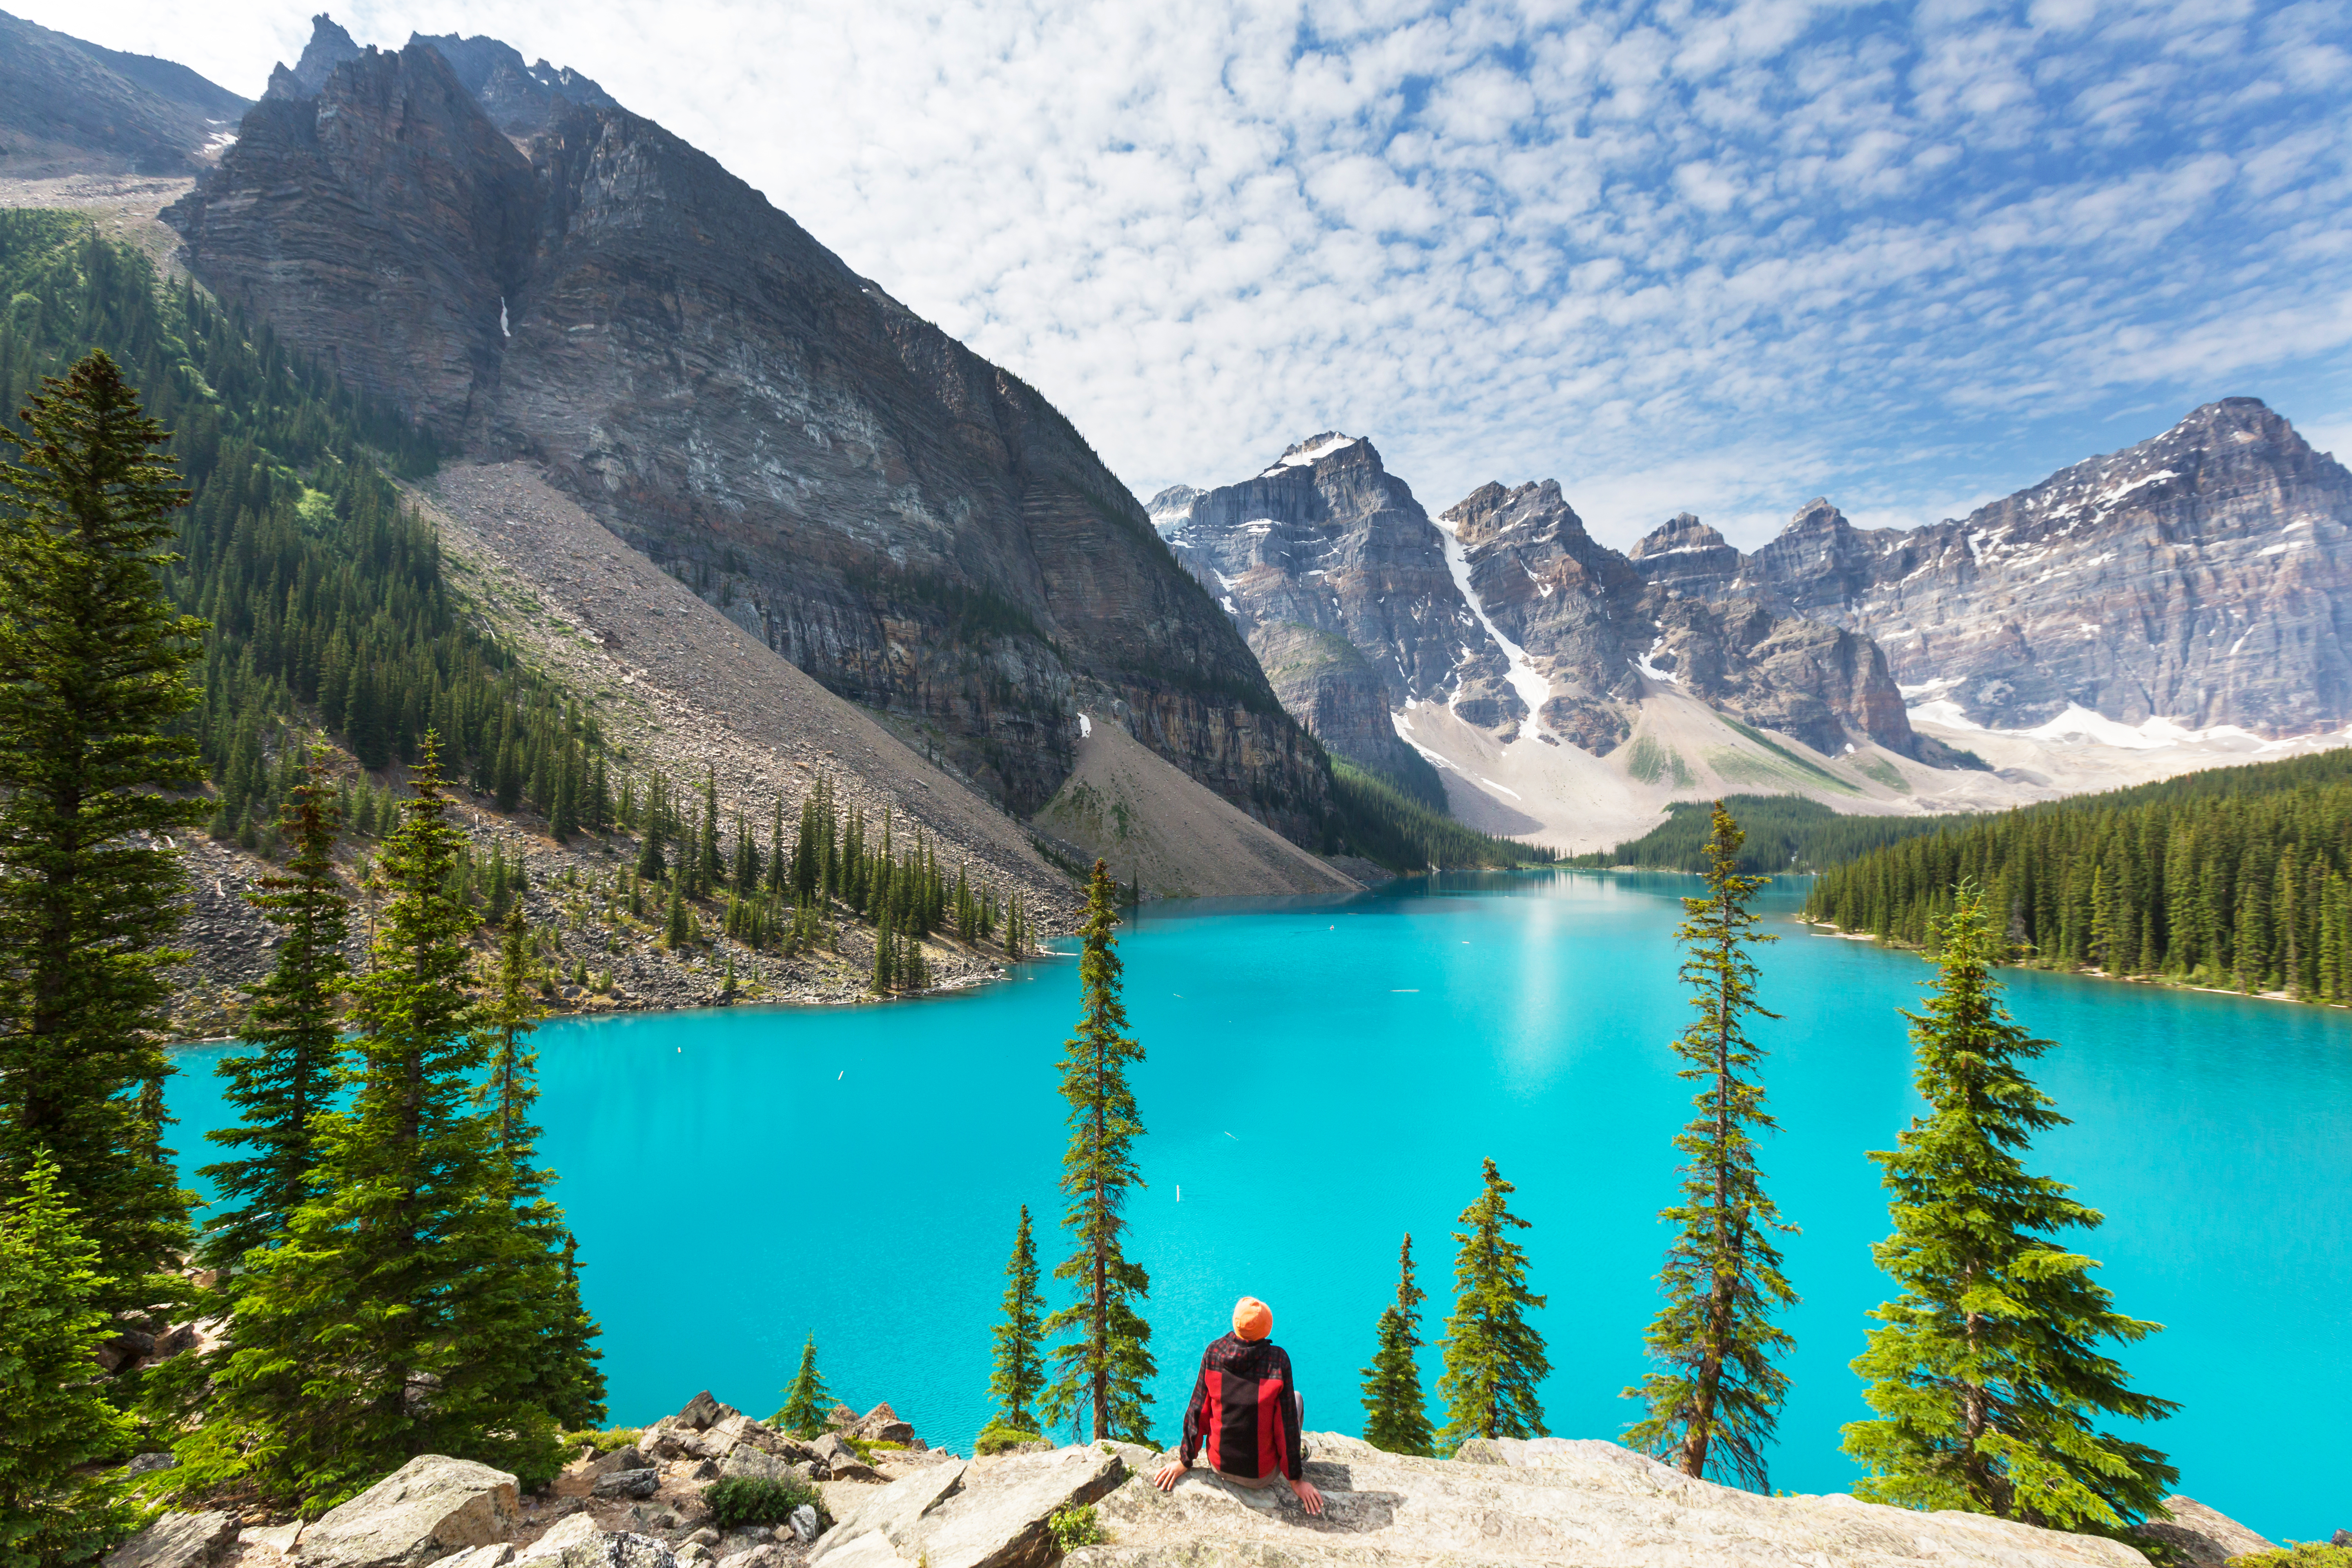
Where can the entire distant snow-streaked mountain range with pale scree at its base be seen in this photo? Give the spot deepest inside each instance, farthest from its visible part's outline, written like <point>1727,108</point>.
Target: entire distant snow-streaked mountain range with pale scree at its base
<point>2191,584</point>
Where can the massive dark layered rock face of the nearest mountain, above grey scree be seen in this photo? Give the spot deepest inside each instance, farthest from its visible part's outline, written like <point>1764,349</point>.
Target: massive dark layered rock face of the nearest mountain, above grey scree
<point>559,281</point>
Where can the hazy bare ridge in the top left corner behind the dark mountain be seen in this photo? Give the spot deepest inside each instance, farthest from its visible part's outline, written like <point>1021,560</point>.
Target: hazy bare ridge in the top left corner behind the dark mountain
<point>69,107</point>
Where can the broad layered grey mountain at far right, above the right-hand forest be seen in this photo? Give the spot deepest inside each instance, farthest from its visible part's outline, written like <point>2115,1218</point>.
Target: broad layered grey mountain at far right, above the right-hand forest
<point>2200,577</point>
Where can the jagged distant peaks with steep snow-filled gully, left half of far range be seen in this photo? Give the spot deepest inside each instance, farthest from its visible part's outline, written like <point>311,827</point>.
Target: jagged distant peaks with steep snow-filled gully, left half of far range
<point>1509,615</point>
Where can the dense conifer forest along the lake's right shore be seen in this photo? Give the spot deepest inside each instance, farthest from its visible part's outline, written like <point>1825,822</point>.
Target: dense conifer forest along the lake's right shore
<point>2231,878</point>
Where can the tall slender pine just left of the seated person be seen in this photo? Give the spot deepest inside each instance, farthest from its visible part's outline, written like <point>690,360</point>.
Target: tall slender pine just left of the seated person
<point>1109,1367</point>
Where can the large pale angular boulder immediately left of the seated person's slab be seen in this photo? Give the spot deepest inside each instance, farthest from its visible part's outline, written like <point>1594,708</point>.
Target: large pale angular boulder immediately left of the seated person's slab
<point>982,1515</point>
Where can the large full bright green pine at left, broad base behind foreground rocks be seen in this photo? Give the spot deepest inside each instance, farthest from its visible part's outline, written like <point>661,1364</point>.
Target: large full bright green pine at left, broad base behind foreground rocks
<point>370,1332</point>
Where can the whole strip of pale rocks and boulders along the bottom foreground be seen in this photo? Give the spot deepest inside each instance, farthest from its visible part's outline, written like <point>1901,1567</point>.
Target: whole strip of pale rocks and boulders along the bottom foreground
<point>871,1494</point>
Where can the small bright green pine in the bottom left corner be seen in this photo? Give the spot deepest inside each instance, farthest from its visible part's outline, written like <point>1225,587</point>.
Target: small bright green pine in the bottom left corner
<point>53,1508</point>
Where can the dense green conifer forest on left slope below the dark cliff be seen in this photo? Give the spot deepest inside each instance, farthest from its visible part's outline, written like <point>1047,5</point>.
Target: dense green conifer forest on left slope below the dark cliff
<point>323,594</point>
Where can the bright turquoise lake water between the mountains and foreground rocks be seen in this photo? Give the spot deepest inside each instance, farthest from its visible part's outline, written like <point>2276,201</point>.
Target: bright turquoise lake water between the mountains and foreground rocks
<point>1328,1076</point>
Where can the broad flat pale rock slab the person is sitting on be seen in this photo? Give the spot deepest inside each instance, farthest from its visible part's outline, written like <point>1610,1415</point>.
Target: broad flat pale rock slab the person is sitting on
<point>1542,1503</point>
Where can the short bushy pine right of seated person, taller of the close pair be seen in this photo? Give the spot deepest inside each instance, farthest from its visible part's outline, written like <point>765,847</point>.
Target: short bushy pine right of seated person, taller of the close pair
<point>1495,1360</point>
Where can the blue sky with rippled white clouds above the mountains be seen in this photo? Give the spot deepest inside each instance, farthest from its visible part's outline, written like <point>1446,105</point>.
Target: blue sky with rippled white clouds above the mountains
<point>1711,257</point>
